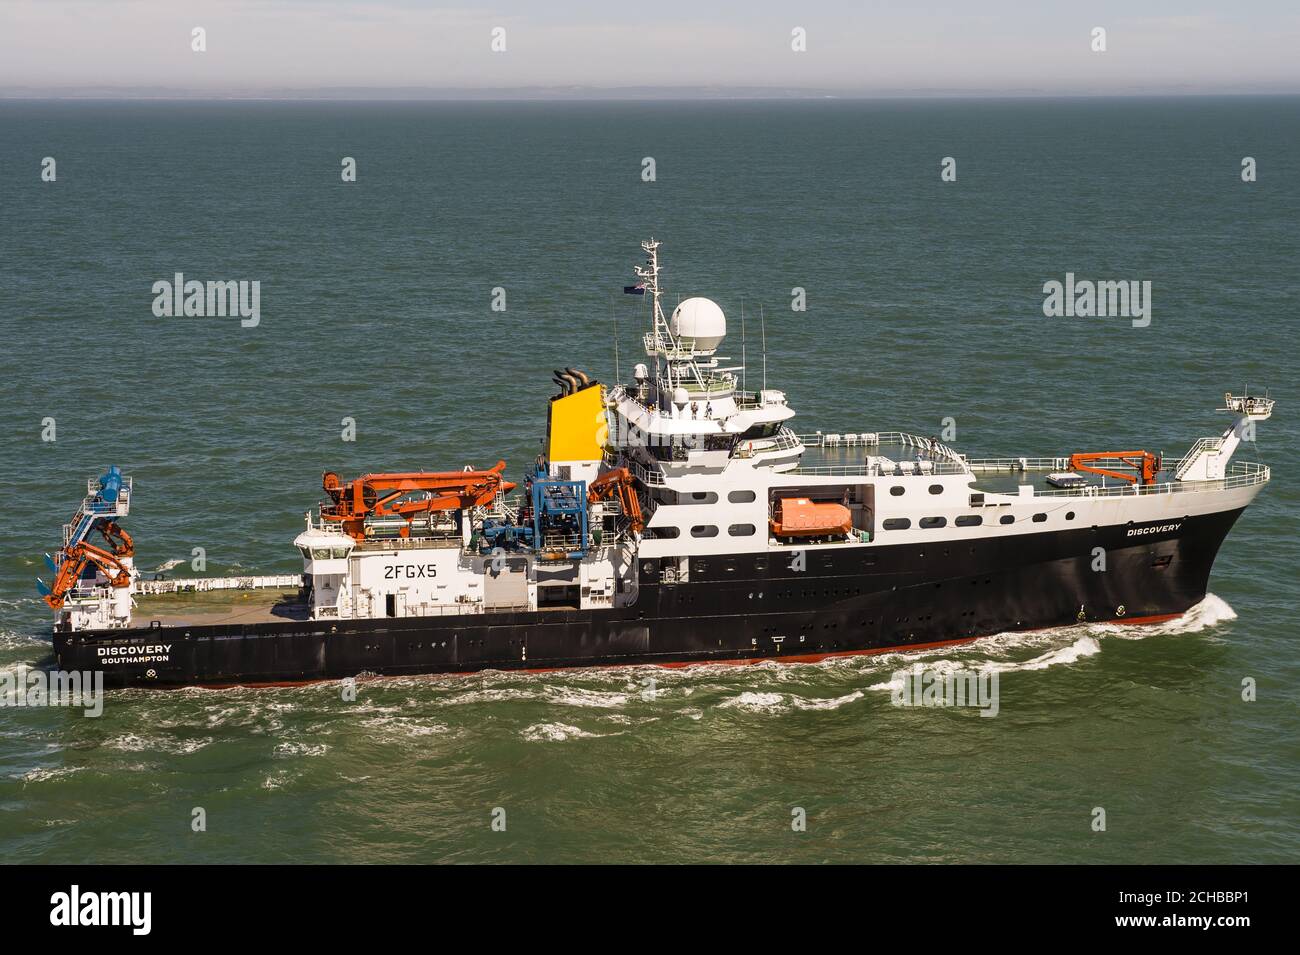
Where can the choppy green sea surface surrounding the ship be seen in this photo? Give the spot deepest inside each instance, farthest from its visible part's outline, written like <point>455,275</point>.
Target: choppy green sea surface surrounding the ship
<point>925,302</point>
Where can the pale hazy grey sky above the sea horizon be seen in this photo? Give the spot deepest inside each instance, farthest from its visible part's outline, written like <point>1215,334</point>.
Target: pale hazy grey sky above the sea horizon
<point>58,47</point>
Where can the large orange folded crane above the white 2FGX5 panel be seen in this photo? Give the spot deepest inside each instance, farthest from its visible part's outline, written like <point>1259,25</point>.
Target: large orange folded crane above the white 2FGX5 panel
<point>388,496</point>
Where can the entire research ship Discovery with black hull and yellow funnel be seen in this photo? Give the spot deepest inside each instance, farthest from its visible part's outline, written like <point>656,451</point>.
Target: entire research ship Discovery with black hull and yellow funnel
<point>674,519</point>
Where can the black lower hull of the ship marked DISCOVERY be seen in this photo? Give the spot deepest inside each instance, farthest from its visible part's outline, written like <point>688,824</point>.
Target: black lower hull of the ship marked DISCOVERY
<point>736,609</point>
